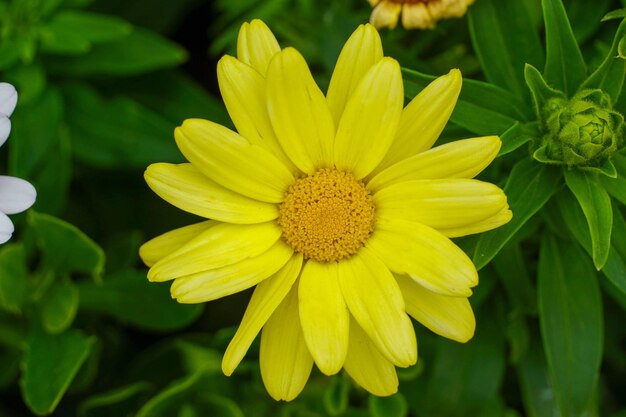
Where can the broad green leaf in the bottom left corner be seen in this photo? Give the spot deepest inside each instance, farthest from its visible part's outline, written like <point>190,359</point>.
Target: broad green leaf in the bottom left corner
<point>49,364</point>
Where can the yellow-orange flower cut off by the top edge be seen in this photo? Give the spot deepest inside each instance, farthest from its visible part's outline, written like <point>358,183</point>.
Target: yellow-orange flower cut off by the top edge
<point>416,14</point>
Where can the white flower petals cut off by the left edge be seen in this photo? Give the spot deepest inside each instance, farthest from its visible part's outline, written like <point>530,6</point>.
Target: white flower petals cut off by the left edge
<point>16,194</point>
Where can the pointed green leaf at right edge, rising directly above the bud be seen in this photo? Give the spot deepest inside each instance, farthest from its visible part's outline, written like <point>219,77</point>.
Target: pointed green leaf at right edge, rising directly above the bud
<point>609,77</point>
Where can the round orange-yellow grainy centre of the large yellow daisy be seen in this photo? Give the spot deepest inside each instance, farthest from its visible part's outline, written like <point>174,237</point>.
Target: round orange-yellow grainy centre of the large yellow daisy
<point>327,216</point>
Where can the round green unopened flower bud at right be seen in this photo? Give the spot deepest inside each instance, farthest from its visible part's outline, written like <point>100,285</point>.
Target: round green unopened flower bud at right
<point>583,131</point>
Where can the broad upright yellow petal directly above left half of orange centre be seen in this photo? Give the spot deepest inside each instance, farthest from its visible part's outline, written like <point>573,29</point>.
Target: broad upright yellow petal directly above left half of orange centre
<point>299,112</point>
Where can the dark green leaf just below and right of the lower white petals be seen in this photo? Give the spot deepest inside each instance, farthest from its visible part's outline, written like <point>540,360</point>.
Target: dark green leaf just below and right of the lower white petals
<point>65,248</point>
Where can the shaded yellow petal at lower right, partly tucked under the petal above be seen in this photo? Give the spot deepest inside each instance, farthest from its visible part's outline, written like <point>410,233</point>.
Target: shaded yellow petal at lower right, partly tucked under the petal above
<point>450,317</point>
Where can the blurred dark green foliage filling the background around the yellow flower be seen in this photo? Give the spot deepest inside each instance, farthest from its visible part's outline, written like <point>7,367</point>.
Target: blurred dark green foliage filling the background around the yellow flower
<point>103,83</point>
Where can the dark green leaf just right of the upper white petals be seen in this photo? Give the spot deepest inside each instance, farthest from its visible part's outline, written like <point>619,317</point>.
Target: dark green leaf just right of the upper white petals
<point>35,131</point>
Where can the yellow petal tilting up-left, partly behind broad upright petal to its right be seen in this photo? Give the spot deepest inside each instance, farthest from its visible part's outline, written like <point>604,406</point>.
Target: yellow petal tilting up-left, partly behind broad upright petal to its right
<point>243,92</point>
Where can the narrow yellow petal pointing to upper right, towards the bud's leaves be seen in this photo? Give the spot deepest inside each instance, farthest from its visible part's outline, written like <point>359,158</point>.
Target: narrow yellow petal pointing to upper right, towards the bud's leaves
<point>424,118</point>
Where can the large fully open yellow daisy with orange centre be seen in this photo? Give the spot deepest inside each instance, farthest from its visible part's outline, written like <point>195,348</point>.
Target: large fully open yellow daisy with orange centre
<point>334,206</point>
